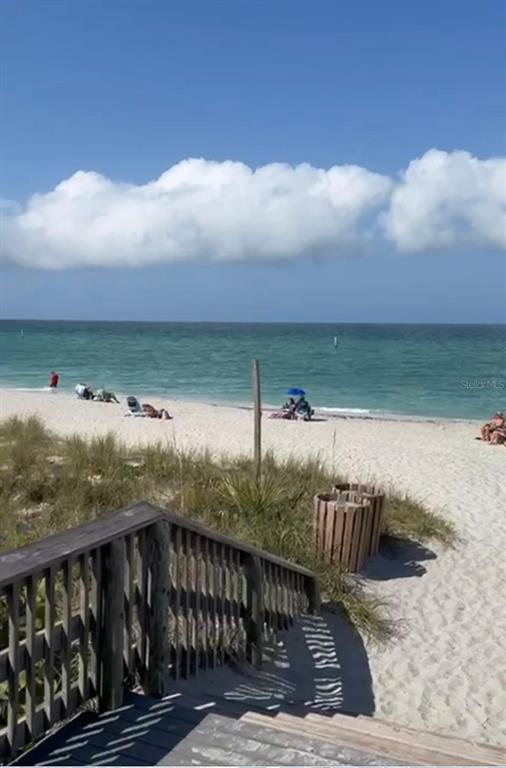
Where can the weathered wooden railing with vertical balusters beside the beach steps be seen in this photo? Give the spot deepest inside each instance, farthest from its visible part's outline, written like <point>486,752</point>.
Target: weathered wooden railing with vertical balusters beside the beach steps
<point>137,597</point>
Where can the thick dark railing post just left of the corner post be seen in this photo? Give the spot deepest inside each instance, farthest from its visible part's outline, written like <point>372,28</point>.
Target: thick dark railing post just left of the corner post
<point>113,620</point>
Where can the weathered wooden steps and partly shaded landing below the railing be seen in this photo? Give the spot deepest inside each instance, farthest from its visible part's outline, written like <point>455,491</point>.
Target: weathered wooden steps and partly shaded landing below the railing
<point>187,730</point>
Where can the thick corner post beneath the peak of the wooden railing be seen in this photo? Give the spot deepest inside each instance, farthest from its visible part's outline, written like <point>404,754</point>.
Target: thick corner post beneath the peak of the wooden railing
<point>157,674</point>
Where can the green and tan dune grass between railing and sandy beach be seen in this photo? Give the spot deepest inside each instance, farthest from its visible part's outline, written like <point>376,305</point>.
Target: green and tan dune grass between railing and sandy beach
<point>48,484</point>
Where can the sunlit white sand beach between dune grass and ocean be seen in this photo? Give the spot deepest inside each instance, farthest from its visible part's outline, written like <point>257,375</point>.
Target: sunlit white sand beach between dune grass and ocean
<point>446,671</point>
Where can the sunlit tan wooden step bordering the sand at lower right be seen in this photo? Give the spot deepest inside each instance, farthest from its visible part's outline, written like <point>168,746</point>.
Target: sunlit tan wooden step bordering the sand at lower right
<point>317,726</point>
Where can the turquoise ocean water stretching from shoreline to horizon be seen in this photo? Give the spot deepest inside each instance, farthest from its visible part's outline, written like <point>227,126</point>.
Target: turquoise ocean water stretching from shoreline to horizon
<point>418,370</point>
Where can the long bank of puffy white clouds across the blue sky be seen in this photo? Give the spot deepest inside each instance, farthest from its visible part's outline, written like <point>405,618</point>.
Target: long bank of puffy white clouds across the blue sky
<point>208,211</point>
